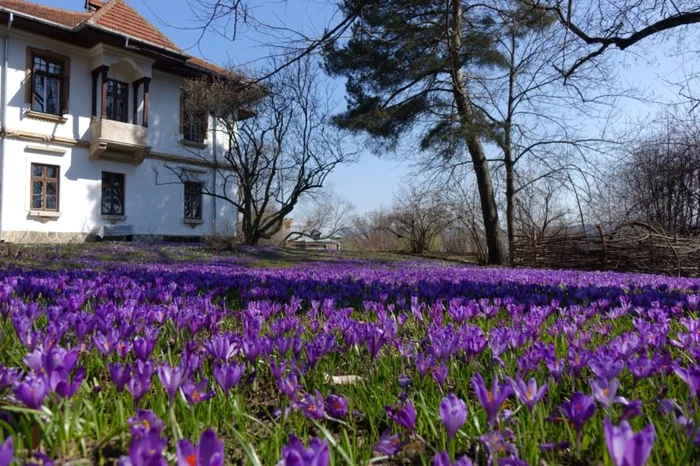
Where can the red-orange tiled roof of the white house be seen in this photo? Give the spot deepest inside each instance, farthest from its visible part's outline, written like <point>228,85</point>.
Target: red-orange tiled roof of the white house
<point>113,16</point>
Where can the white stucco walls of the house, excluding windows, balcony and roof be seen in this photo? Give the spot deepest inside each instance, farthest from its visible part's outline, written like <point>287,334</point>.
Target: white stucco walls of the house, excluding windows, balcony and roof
<point>153,198</point>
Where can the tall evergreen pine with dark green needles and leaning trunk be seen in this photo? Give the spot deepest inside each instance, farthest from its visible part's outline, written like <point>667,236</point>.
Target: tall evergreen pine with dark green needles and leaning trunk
<point>409,66</point>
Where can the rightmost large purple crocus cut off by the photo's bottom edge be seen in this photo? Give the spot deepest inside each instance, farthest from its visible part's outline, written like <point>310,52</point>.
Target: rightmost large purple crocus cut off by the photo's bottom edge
<point>625,447</point>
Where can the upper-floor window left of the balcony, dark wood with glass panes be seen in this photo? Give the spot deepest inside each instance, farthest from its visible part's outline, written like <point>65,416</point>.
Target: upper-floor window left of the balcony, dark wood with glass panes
<point>49,83</point>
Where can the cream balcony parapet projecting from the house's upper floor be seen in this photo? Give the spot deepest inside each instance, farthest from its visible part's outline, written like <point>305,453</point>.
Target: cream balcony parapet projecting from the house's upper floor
<point>117,141</point>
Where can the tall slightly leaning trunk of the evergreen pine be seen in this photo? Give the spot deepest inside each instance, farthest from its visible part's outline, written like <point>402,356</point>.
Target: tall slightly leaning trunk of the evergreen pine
<point>494,237</point>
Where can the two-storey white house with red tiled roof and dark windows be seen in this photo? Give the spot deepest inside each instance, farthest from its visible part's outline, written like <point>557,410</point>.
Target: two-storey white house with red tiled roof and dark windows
<point>94,140</point>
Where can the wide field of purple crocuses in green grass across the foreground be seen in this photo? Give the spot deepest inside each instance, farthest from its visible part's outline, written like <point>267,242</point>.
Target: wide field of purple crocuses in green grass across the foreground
<point>348,362</point>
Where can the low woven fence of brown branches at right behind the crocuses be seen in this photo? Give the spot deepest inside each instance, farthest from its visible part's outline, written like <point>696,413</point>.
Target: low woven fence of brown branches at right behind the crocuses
<point>630,247</point>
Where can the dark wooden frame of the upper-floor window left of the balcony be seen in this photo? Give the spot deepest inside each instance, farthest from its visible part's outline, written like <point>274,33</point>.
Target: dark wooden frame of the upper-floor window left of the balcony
<point>63,78</point>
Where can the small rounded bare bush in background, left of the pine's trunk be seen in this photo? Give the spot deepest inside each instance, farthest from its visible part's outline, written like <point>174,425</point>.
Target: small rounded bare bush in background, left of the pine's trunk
<point>418,217</point>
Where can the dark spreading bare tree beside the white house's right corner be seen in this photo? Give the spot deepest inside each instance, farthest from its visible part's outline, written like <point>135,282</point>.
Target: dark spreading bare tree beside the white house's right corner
<point>285,149</point>
